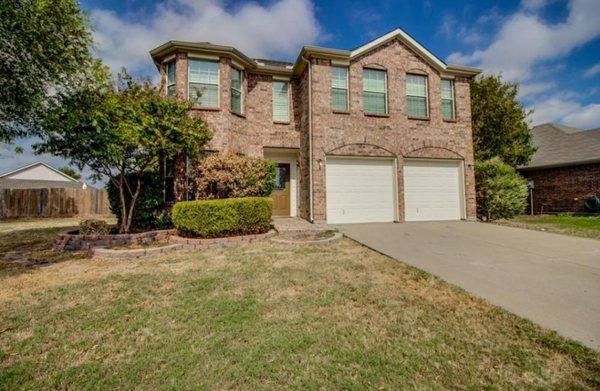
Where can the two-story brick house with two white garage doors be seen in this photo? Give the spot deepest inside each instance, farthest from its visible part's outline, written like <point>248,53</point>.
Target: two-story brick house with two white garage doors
<point>378,133</point>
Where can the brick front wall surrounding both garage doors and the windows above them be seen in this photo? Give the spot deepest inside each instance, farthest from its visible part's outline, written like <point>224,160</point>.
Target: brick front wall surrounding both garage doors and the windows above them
<point>355,133</point>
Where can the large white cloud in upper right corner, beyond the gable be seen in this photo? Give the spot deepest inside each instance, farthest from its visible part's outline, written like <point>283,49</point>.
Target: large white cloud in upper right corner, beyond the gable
<point>525,40</point>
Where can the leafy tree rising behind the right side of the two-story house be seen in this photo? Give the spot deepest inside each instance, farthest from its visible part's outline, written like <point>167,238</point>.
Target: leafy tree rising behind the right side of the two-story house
<point>499,122</point>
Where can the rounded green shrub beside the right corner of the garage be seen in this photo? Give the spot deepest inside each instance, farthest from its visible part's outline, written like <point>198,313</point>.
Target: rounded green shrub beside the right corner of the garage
<point>501,191</point>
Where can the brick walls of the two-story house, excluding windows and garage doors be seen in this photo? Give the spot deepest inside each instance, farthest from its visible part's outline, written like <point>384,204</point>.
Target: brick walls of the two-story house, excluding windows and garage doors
<point>353,133</point>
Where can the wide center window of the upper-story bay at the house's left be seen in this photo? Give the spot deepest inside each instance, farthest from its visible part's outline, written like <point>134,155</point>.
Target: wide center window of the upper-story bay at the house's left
<point>204,81</point>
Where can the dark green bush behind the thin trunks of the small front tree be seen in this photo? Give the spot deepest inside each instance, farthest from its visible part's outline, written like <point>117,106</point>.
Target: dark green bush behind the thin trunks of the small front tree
<point>149,212</point>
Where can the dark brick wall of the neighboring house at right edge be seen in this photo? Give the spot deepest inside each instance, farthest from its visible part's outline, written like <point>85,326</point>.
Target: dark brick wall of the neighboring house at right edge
<point>563,189</point>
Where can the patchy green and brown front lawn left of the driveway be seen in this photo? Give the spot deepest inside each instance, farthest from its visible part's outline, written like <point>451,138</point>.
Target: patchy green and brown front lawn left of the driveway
<point>266,316</point>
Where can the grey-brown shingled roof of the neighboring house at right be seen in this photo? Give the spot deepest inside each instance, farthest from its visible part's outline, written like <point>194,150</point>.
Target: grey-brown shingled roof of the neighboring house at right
<point>560,145</point>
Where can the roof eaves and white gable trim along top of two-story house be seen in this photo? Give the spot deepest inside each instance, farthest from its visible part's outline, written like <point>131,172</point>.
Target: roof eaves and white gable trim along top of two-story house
<point>281,67</point>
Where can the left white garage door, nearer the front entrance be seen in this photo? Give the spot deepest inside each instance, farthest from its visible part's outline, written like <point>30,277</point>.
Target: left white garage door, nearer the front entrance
<point>360,190</point>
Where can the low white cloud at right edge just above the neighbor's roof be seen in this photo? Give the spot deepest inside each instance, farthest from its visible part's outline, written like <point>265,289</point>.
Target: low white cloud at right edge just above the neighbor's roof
<point>566,111</point>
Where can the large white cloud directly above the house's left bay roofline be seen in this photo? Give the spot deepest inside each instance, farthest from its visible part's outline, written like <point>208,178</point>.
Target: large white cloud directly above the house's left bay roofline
<point>278,29</point>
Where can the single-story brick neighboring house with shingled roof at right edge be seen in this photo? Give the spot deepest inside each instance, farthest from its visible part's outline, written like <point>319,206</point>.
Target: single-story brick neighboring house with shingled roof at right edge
<point>565,170</point>
